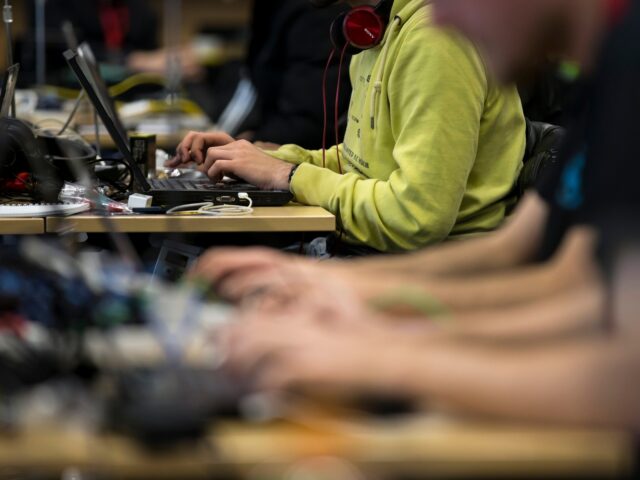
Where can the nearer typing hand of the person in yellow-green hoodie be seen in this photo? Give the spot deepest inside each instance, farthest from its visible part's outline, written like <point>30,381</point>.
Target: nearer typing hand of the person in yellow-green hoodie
<point>244,160</point>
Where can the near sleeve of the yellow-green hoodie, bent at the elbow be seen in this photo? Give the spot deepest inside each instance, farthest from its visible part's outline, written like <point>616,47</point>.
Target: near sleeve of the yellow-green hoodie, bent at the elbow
<point>436,90</point>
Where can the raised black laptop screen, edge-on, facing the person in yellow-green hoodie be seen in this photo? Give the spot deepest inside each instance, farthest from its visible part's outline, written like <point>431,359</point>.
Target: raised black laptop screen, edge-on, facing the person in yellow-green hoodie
<point>101,103</point>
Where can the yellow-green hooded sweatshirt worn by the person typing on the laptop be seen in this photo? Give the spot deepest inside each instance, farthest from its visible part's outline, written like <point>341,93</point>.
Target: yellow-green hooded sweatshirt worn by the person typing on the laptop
<point>432,148</point>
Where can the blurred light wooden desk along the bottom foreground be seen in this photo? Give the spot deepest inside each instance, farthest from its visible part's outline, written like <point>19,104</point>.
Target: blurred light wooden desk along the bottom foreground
<point>416,449</point>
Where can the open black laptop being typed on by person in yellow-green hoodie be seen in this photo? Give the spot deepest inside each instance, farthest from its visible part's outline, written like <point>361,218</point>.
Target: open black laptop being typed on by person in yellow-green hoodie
<point>172,191</point>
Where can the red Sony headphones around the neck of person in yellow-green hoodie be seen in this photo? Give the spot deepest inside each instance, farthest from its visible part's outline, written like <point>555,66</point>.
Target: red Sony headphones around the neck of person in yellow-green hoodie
<point>361,28</point>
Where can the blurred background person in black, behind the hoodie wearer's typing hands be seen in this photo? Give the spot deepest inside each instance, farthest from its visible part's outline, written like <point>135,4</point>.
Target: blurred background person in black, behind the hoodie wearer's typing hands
<point>278,91</point>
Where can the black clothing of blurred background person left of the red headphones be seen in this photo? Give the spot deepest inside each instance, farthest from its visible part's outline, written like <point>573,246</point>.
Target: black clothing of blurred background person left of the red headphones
<point>289,49</point>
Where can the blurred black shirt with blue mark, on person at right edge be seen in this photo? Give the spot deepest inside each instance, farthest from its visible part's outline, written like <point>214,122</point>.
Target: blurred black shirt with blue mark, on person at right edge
<point>601,159</point>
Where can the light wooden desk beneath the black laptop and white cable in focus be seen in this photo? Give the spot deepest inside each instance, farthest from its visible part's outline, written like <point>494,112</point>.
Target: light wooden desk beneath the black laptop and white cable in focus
<point>290,218</point>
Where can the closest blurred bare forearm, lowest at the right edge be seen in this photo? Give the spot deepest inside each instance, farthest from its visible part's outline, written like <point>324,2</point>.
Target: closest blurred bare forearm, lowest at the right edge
<point>585,382</point>
